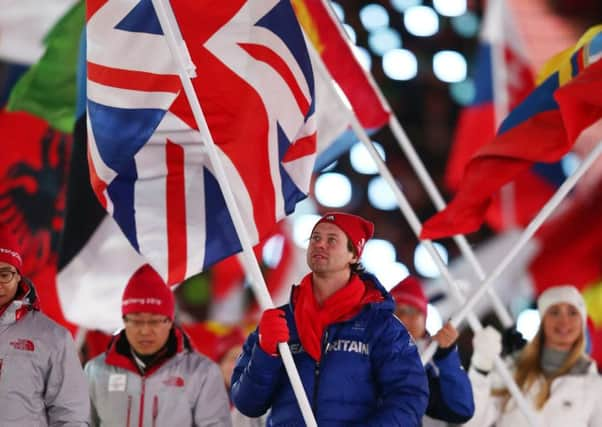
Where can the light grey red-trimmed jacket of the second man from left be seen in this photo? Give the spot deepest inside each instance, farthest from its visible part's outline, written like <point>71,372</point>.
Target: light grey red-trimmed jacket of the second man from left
<point>185,390</point>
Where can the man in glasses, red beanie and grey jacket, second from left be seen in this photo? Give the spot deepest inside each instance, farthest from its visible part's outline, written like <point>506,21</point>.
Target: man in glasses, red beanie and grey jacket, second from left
<point>150,376</point>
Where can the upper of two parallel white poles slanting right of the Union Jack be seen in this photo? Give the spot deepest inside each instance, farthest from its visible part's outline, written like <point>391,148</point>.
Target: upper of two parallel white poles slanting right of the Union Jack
<point>430,188</point>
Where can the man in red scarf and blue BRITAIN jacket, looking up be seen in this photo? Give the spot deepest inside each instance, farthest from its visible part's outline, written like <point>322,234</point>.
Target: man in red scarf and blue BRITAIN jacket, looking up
<point>357,362</point>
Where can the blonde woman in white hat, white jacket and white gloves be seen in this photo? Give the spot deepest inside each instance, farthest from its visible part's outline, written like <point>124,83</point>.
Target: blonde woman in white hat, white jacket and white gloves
<point>554,373</point>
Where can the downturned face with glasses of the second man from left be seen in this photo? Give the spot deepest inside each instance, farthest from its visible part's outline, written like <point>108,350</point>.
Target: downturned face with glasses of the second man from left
<point>147,333</point>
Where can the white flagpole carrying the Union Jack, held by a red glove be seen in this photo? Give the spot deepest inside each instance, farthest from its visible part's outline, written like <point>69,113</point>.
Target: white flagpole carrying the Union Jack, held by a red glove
<point>180,52</point>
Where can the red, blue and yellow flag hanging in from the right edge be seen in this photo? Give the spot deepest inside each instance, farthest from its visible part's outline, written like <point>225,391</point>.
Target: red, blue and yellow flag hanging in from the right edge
<point>542,128</point>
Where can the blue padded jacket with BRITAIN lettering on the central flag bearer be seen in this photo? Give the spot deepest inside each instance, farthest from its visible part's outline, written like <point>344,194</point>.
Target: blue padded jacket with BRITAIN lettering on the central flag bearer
<point>369,374</point>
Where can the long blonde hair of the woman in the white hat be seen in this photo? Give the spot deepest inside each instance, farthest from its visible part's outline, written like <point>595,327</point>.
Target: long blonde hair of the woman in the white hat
<point>528,368</point>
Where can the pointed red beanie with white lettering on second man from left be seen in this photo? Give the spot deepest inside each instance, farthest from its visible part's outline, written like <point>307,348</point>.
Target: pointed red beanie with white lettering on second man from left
<point>146,292</point>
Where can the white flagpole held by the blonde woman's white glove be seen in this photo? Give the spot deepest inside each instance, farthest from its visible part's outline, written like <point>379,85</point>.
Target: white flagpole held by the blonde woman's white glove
<point>416,226</point>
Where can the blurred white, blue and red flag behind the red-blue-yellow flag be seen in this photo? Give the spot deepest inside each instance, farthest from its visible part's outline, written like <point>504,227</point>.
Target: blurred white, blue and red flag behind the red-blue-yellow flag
<point>503,78</point>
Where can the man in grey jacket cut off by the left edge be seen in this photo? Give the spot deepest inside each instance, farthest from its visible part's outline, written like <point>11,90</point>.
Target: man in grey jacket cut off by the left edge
<point>41,379</point>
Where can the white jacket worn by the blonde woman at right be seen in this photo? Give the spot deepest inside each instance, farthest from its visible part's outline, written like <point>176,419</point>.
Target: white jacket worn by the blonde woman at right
<point>575,401</point>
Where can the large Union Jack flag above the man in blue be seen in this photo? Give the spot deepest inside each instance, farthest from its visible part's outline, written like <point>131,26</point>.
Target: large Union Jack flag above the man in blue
<point>148,162</point>
